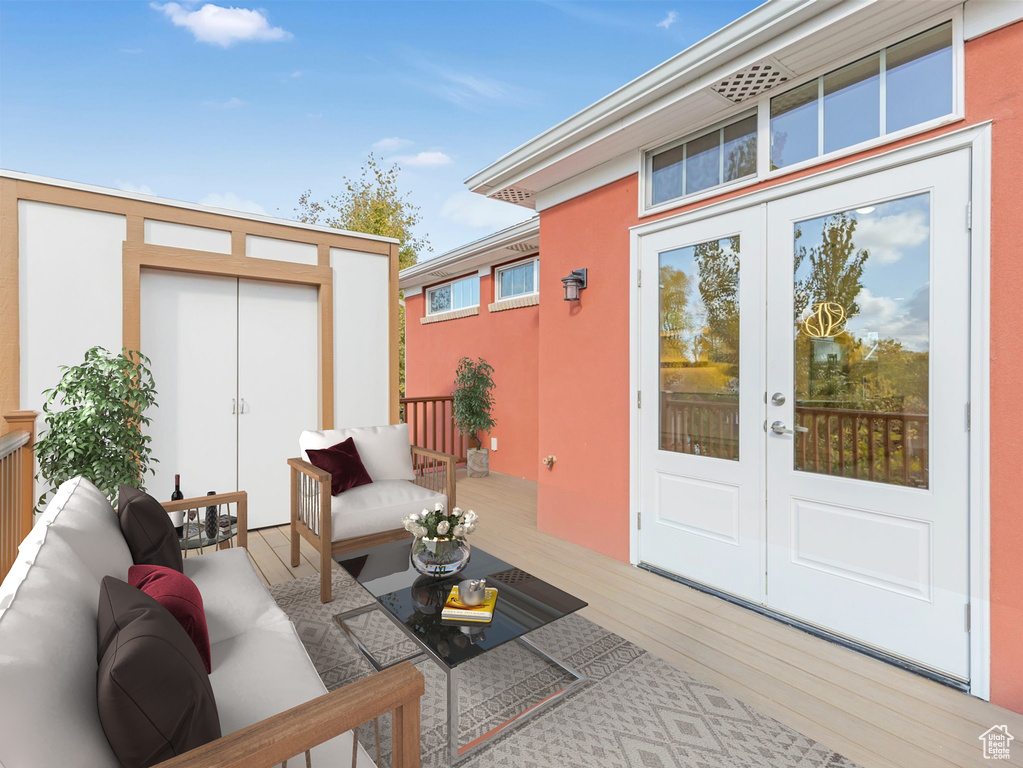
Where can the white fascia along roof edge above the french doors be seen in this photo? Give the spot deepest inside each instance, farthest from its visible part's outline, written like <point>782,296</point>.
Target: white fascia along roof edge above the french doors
<point>754,29</point>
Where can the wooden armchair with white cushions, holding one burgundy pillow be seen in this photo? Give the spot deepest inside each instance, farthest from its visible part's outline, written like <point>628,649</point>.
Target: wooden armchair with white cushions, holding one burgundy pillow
<point>407,479</point>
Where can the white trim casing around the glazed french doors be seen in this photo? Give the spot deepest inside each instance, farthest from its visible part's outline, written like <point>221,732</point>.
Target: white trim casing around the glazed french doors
<point>977,139</point>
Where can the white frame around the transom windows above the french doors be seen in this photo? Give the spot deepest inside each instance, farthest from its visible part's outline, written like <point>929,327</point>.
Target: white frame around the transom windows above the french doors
<point>762,105</point>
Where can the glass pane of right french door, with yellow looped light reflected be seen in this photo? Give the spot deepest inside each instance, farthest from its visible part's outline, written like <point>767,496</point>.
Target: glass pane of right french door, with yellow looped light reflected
<point>862,342</point>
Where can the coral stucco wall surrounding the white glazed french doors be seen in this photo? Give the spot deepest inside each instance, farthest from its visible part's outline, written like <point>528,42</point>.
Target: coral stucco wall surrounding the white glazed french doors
<point>585,397</point>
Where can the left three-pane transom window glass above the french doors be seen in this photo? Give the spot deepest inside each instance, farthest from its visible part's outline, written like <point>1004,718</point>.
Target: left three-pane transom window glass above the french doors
<point>721,156</point>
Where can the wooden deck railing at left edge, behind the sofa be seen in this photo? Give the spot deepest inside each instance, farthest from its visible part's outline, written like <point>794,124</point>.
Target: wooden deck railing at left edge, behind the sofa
<point>18,467</point>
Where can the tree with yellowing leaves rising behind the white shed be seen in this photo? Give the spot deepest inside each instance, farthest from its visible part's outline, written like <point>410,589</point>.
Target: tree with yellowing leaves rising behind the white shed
<point>374,205</point>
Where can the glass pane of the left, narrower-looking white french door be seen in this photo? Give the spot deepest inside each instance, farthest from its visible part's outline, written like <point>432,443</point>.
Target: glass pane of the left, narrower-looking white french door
<point>699,349</point>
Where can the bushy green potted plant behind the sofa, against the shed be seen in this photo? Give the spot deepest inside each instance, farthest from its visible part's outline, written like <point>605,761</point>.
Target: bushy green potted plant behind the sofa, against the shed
<point>96,419</point>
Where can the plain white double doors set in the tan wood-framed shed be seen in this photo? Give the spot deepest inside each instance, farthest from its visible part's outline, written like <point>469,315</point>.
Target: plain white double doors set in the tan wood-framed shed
<point>236,365</point>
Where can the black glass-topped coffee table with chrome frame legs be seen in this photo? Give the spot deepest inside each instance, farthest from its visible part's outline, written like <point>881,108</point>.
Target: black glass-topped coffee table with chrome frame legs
<point>414,605</point>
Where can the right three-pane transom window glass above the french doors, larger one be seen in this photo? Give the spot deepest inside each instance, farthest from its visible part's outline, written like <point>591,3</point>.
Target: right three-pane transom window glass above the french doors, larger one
<point>901,86</point>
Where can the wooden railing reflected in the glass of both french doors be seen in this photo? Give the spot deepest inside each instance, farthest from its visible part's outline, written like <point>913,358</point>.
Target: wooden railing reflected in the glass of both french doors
<point>869,445</point>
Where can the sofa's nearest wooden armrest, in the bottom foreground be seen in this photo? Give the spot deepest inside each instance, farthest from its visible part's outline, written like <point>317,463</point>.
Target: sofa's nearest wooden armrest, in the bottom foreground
<point>284,737</point>
